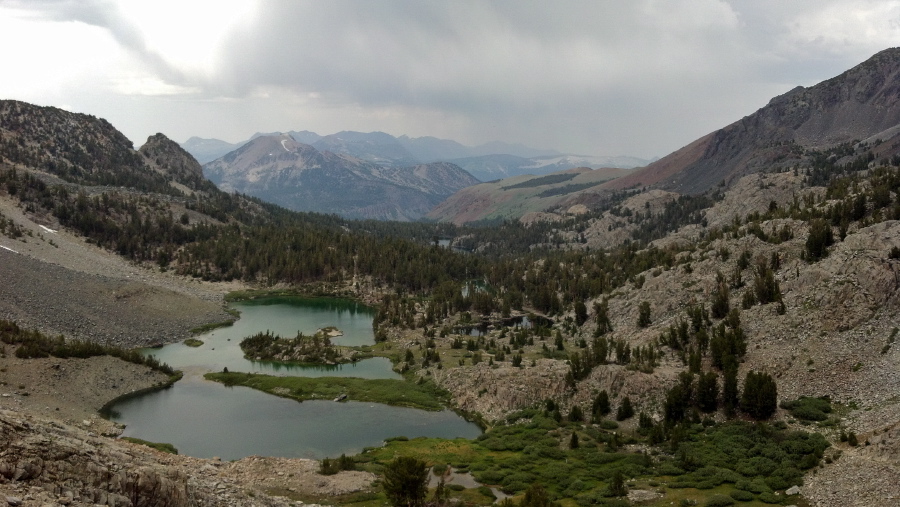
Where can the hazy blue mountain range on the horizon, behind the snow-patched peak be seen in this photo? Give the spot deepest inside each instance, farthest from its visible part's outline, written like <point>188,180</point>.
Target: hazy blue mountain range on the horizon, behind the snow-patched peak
<point>486,162</point>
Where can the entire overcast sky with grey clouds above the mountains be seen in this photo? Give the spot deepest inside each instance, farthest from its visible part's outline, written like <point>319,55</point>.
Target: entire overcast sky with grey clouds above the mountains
<point>625,77</point>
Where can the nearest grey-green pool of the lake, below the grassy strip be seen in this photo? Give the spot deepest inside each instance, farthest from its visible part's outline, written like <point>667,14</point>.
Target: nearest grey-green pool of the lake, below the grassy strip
<point>206,419</point>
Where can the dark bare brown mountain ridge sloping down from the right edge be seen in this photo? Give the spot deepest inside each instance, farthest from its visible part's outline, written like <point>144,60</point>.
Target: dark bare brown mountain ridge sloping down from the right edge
<point>861,103</point>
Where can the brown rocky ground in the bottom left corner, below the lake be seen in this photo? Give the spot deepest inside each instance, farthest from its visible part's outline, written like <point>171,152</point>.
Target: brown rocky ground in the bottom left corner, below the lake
<point>47,462</point>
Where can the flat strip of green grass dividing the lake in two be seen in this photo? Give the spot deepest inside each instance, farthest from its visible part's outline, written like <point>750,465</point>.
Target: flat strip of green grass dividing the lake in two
<point>399,393</point>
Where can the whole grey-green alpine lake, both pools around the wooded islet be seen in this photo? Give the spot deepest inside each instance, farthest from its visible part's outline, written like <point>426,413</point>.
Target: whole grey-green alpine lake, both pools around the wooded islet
<point>205,419</point>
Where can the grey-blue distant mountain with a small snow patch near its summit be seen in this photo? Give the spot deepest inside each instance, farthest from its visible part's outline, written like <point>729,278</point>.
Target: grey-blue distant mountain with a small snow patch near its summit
<point>300,177</point>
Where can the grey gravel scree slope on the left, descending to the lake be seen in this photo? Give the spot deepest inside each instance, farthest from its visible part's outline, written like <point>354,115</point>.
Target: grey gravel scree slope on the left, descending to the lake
<point>58,283</point>
